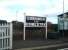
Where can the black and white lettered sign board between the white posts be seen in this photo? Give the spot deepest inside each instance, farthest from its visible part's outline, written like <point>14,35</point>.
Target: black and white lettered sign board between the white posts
<point>35,21</point>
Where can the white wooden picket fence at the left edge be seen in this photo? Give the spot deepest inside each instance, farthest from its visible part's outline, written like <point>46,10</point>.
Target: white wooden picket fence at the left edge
<point>5,36</point>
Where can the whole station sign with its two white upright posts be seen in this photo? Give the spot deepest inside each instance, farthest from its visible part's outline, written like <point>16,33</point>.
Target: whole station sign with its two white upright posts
<point>34,22</point>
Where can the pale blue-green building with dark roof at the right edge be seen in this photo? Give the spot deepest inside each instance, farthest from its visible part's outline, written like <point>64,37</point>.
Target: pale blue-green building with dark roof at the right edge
<point>63,24</point>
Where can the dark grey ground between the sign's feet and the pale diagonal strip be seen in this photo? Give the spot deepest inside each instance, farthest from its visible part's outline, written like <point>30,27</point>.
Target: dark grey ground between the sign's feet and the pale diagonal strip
<point>35,43</point>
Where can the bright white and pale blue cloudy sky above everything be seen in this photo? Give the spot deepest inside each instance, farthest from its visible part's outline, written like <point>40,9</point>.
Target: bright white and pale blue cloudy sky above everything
<point>52,8</point>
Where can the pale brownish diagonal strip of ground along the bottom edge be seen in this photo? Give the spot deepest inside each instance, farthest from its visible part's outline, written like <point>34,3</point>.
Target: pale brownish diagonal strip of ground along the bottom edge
<point>49,47</point>
